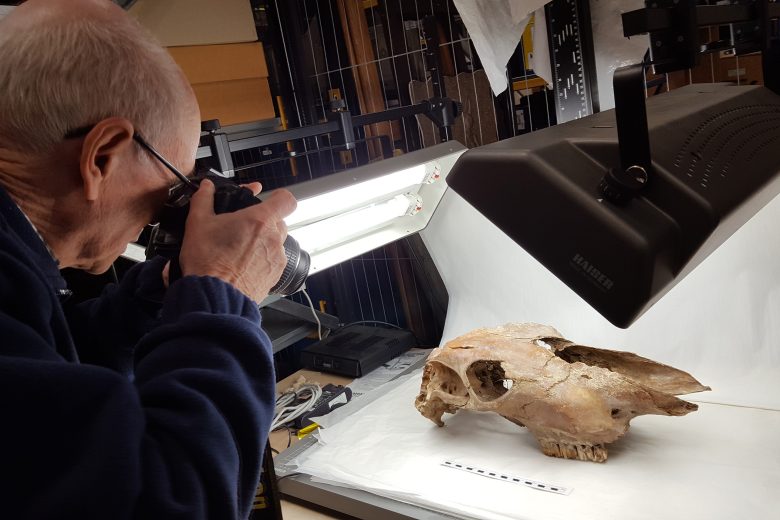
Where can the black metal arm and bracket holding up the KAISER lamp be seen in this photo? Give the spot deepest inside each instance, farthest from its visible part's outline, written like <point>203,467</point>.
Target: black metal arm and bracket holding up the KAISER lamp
<point>673,26</point>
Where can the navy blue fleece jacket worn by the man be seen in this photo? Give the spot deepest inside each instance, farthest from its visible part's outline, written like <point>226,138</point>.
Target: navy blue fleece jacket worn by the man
<point>143,403</point>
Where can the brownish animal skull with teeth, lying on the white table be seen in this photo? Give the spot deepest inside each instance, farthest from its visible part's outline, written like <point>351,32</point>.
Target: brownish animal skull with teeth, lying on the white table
<point>574,399</point>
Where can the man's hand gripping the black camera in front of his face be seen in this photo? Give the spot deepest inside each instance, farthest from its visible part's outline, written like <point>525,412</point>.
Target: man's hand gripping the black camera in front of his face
<point>244,248</point>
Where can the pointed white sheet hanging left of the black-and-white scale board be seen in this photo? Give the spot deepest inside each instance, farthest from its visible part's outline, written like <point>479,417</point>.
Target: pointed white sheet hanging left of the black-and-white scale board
<point>496,27</point>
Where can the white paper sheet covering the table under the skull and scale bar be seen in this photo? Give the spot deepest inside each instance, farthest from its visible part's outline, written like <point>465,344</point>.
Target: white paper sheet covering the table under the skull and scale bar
<point>717,463</point>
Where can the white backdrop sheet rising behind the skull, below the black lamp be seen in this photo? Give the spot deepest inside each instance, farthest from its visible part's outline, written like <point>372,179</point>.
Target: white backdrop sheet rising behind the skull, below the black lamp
<point>721,323</point>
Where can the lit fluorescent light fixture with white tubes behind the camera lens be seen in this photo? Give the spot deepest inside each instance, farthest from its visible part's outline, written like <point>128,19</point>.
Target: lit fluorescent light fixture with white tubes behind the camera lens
<point>351,212</point>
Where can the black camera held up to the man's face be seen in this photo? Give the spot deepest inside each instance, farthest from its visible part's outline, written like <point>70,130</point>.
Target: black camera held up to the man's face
<point>166,238</point>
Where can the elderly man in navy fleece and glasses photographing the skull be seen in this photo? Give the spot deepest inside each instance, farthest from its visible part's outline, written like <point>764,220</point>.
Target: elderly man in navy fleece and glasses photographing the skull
<point>151,401</point>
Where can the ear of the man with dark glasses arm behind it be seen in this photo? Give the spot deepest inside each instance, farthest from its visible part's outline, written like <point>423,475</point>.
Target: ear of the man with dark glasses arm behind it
<point>102,152</point>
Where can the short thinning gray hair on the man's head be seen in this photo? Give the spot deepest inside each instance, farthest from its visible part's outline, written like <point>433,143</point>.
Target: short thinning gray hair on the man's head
<point>65,74</point>
